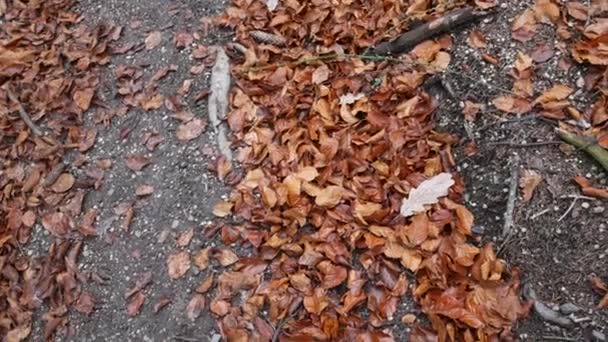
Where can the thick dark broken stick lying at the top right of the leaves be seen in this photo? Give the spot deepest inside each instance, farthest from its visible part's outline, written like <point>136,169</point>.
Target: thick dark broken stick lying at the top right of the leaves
<point>410,39</point>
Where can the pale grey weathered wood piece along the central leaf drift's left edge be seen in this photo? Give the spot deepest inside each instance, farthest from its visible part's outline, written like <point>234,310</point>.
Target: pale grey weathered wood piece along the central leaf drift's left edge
<point>218,101</point>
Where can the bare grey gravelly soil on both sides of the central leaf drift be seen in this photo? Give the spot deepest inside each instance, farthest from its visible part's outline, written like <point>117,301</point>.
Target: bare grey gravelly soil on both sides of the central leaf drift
<point>556,254</point>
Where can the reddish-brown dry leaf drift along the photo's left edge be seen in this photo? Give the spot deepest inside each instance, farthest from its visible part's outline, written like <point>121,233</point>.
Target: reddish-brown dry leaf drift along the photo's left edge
<point>48,60</point>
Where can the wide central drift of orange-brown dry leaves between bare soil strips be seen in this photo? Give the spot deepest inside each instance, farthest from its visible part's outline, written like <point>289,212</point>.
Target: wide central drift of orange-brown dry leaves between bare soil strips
<point>331,143</point>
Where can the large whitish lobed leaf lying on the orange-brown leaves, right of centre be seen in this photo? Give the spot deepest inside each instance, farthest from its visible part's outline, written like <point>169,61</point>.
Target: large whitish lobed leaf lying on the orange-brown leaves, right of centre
<point>428,192</point>
